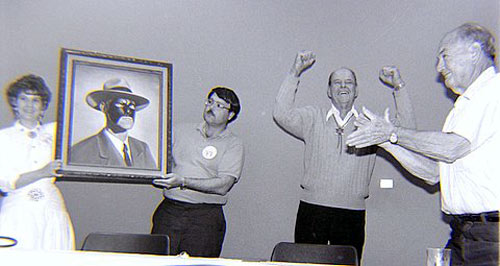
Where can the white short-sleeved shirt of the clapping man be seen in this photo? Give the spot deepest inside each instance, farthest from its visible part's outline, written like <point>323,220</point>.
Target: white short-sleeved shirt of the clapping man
<point>471,184</point>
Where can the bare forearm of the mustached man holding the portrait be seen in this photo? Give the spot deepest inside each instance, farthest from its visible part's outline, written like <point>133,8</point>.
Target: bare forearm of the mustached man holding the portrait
<point>216,185</point>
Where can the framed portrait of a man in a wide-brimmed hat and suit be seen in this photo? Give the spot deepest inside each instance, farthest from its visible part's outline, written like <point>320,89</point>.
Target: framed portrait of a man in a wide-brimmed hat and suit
<point>113,118</point>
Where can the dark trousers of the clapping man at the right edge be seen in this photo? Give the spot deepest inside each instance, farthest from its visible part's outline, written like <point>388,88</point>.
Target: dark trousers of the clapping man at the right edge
<point>474,241</point>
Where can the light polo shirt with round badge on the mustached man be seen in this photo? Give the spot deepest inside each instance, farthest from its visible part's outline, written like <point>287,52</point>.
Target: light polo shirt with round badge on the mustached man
<point>197,156</point>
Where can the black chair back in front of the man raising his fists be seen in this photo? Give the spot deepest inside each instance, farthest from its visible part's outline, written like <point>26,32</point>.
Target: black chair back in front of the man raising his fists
<point>314,253</point>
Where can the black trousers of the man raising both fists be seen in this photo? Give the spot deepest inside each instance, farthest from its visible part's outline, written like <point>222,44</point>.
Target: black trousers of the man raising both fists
<point>325,225</point>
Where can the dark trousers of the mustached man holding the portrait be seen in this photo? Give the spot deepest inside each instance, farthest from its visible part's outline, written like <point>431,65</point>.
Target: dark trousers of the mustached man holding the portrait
<point>197,229</point>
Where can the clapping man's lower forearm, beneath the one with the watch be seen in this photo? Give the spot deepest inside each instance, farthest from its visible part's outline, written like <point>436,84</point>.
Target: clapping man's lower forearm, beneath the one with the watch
<point>420,166</point>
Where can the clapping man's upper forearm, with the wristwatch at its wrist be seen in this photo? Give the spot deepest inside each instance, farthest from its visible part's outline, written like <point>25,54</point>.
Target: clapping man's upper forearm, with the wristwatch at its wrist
<point>440,146</point>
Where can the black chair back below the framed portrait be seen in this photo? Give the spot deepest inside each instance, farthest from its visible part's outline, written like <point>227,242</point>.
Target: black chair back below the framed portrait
<point>127,243</point>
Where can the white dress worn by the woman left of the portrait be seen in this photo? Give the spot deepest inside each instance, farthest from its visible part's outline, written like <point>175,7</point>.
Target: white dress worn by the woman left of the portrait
<point>35,215</point>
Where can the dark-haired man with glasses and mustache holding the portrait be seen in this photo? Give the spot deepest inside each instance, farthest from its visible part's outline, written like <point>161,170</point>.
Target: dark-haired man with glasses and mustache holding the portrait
<point>208,159</point>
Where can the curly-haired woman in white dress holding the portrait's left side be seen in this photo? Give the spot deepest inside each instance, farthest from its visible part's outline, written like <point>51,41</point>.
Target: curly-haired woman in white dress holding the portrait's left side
<point>32,210</point>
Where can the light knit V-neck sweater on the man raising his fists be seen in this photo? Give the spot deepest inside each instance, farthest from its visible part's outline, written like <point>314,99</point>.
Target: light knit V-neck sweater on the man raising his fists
<point>334,175</point>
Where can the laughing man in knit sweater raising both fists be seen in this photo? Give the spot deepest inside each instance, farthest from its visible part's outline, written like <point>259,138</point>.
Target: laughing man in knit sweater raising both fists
<point>336,179</point>
